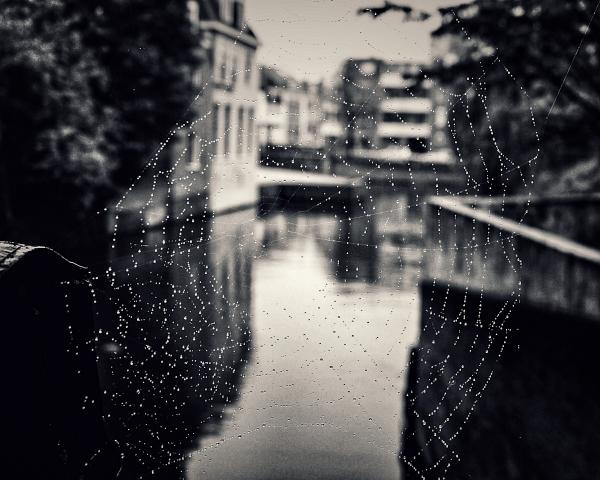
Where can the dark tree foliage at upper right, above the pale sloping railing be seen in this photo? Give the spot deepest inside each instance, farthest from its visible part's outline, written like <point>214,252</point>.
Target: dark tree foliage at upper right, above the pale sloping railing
<point>505,56</point>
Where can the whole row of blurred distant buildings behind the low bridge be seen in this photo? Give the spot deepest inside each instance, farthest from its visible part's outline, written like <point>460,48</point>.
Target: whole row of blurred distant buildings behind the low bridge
<point>376,109</point>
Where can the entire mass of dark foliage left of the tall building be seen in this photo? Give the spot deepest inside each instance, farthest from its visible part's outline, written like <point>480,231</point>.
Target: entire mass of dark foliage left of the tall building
<point>88,91</point>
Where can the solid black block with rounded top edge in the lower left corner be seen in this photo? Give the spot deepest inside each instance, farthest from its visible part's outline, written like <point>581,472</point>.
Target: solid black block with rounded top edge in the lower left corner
<point>52,400</point>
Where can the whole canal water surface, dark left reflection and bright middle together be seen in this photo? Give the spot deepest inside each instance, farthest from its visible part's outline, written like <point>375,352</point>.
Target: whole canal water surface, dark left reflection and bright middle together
<point>244,348</point>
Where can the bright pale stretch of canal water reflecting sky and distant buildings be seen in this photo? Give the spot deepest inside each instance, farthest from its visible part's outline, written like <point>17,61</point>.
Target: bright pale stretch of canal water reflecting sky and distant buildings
<point>330,340</point>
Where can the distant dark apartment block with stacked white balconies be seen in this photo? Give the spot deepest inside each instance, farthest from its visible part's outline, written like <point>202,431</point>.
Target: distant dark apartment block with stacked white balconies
<point>387,112</point>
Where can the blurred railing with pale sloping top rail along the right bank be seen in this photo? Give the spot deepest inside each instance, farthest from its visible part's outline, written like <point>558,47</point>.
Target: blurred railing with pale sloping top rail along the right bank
<point>470,245</point>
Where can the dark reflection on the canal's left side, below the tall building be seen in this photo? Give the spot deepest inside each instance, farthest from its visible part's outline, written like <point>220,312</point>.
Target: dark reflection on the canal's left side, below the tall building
<point>180,300</point>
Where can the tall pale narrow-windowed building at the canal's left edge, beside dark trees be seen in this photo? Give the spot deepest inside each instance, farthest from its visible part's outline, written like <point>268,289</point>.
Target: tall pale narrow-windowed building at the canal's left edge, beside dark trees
<point>218,150</point>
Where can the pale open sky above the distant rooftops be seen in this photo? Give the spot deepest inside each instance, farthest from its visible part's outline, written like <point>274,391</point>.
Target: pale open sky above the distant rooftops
<point>309,39</point>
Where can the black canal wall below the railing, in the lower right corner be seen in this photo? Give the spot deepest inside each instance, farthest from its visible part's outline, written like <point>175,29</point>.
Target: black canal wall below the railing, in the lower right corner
<point>500,390</point>
